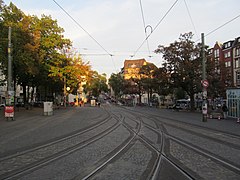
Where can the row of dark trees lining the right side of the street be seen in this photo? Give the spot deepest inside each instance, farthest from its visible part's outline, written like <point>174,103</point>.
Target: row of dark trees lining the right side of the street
<point>180,74</point>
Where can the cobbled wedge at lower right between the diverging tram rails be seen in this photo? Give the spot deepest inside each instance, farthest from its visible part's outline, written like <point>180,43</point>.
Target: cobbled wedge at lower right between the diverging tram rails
<point>199,163</point>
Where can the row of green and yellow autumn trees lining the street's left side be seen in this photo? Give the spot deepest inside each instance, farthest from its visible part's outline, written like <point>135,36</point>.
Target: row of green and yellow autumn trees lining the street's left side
<point>42,57</point>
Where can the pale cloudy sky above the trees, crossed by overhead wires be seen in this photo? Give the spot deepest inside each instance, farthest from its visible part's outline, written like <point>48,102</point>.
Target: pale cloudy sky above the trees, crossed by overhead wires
<point>115,30</point>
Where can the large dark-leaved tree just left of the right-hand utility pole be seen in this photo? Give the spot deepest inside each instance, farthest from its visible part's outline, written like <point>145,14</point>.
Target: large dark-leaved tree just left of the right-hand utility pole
<point>184,64</point>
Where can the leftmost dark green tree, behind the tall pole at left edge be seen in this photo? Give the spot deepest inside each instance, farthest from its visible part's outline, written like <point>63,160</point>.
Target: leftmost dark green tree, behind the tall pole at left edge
<point>15,18</point>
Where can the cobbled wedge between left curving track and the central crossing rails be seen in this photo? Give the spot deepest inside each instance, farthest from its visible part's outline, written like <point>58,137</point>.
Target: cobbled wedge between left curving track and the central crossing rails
<point>81,161</point>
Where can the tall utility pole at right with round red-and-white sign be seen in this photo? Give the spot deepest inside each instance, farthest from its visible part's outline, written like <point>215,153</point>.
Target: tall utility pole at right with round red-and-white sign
<point>204,82</point>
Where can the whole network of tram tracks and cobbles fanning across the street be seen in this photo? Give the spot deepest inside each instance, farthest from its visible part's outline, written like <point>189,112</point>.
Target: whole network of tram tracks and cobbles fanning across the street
<point>134,145</point>
